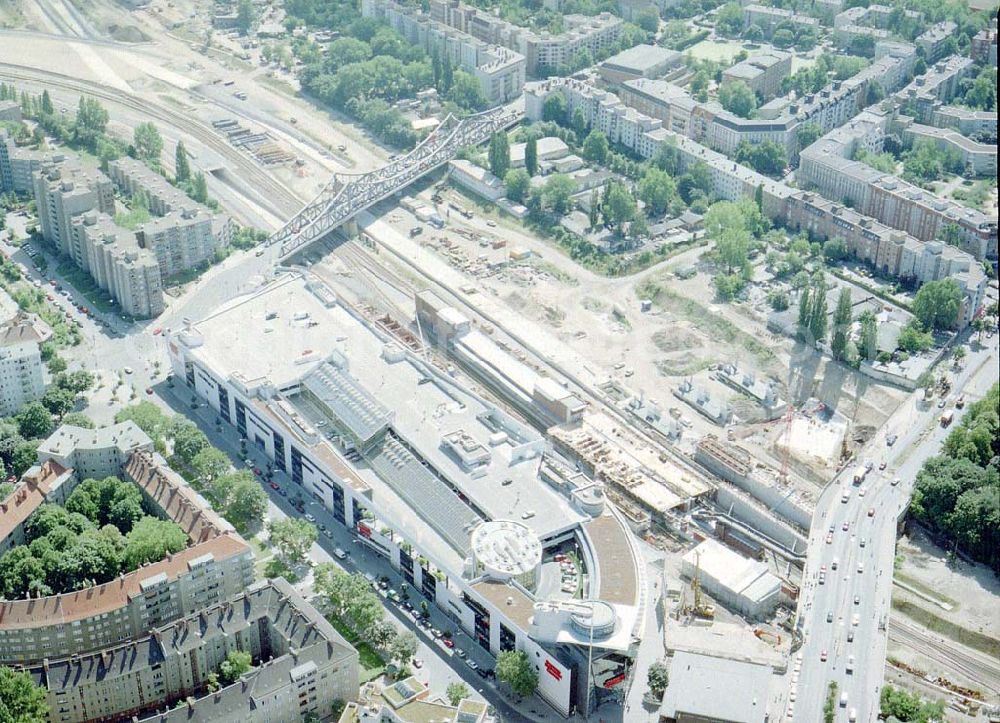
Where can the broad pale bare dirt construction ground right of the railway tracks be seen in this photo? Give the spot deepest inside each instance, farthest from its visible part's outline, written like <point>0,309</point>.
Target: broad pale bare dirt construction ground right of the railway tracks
<point>685,335</point>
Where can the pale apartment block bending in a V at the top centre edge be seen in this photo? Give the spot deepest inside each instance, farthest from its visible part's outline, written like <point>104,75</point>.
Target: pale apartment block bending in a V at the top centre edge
<point>541,51</point>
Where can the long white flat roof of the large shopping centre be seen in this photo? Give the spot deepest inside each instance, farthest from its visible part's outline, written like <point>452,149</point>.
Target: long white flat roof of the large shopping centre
<point>494,463</point>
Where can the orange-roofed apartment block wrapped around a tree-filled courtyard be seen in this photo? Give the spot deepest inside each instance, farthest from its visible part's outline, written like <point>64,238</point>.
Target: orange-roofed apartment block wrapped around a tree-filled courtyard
<point>216,565</point>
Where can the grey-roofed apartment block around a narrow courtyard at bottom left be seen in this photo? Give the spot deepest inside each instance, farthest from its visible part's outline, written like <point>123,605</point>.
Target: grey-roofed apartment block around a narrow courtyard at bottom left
<point>302,666</point>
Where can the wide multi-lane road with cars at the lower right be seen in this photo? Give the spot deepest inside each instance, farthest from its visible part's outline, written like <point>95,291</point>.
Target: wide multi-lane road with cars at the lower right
<point>844,619</point>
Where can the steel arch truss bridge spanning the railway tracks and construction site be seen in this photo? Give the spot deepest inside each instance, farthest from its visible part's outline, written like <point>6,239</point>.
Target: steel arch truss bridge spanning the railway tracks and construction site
<point>347,195</point>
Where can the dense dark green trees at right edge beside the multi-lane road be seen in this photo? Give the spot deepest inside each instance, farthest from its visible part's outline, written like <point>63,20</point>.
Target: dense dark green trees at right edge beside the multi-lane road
<point>956,492</point>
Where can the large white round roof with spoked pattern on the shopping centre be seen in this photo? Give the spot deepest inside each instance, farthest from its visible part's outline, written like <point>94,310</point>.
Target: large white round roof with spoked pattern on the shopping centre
<point>504,550</point>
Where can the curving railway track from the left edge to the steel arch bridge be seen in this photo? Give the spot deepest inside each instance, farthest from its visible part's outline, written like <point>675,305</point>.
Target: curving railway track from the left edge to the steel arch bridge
<point>268,192</point>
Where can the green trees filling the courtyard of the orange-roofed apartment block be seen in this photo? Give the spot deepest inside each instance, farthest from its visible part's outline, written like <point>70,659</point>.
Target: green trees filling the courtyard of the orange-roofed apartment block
<point>101,532</point>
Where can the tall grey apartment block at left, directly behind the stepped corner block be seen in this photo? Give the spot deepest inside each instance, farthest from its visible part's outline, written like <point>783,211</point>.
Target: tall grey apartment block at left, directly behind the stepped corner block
<point>64,190</point>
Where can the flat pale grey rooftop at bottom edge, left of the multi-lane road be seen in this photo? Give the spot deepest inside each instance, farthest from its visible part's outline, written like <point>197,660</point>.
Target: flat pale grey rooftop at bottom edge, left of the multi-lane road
<point>716,689</point>
